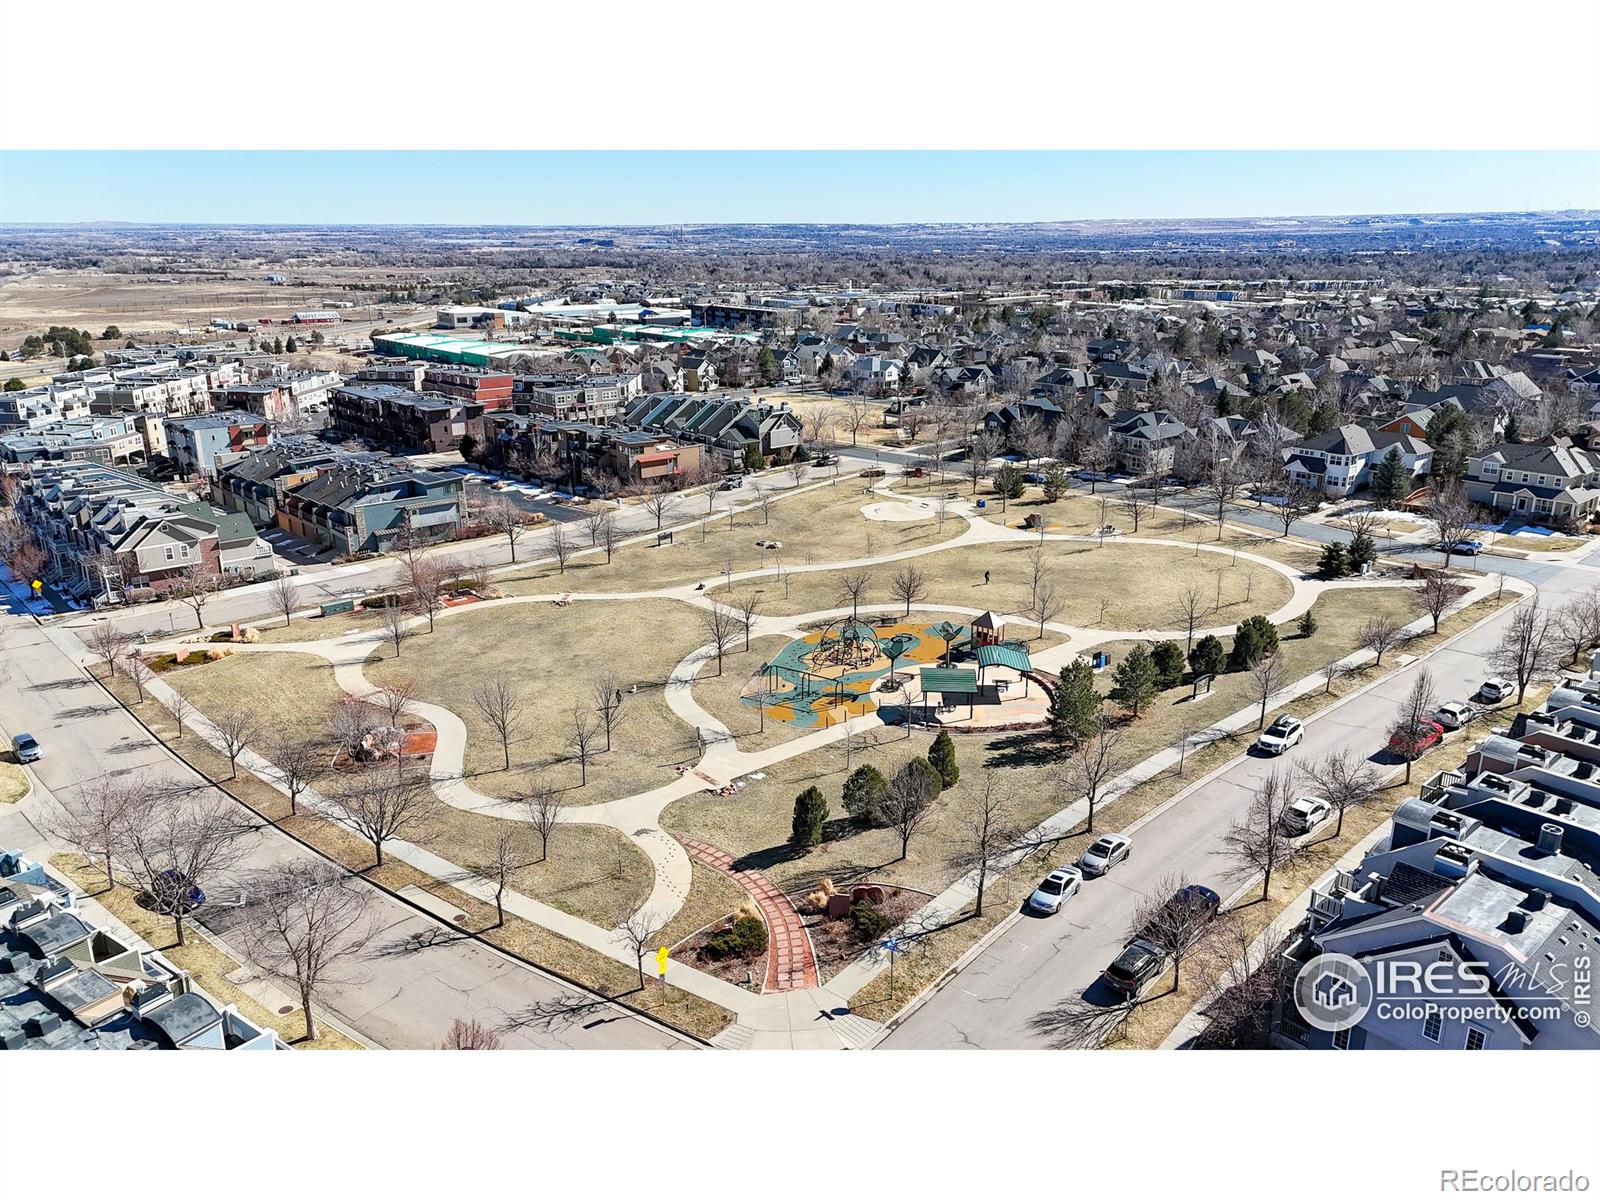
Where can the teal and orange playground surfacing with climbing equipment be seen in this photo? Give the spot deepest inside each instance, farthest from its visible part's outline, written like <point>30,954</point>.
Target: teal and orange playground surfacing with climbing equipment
<point>833,674</point>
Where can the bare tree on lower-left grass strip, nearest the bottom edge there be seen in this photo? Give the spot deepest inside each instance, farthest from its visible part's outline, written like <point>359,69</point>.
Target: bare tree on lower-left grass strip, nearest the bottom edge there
<point>308,922</point>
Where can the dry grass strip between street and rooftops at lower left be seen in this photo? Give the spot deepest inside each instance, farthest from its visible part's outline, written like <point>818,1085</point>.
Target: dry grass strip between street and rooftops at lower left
<point>206,962</point>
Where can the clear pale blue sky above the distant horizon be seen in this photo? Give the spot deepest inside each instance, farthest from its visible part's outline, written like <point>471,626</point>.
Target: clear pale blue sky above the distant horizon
<point>729,186</point>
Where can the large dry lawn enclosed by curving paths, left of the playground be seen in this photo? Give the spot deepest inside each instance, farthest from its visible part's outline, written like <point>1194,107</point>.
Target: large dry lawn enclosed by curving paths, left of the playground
<point>554,657</point>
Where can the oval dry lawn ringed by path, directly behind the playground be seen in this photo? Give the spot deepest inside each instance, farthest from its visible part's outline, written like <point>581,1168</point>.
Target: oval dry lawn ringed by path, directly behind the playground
<point>1126,586</point>
